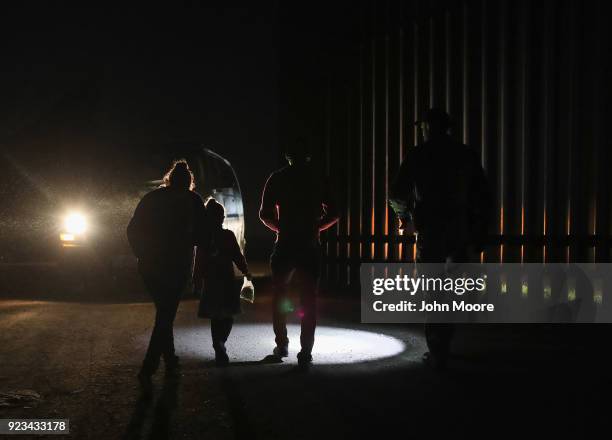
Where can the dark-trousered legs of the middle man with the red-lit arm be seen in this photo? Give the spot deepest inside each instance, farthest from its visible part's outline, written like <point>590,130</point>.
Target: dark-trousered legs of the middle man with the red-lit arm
<point>300,270</point>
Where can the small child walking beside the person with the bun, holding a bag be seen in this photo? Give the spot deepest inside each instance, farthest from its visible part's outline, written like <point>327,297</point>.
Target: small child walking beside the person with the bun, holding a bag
<point>214,272</point>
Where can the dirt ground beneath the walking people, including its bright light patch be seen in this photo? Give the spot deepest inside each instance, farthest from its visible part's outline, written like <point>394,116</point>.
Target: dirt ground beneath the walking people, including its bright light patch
<point>78,360</point>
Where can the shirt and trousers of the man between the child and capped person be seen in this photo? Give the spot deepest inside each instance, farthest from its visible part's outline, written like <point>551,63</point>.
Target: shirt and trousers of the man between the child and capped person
<point>300,199</point>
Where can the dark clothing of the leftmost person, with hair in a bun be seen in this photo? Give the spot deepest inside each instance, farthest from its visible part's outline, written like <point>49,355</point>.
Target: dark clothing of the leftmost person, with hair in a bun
<point>167,224</point>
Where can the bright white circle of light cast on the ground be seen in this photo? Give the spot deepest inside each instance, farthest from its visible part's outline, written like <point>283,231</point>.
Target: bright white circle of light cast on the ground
<point>252,342</point>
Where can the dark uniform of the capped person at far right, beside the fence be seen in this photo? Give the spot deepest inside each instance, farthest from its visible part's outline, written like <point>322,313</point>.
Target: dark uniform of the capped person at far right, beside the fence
<point>442,190</point>
